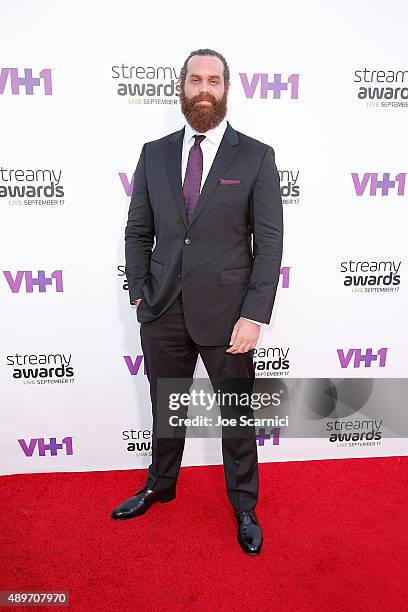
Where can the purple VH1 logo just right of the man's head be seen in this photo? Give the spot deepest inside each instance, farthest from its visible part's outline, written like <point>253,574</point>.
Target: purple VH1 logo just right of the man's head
<point>262,82</point>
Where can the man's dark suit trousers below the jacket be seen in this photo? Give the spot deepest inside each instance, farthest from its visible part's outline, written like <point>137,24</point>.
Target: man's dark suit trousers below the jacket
<point>170,352</point>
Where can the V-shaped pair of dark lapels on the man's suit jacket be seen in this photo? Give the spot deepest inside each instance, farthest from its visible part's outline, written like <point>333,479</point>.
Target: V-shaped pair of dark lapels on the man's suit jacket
<point>227,150</point>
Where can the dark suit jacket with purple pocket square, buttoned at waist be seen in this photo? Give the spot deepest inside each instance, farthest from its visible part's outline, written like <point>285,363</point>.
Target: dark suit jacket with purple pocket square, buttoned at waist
<point>222,273</point>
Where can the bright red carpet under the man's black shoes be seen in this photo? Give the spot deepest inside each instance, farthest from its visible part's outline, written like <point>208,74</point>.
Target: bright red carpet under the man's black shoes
<point>336,538</point>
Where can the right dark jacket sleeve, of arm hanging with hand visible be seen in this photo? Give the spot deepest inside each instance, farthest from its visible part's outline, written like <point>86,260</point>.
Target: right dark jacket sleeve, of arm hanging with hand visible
<point>267,229</point>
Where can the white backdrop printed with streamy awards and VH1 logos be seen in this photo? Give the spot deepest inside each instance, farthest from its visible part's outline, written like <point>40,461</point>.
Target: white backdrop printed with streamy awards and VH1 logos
<point>82,88</point>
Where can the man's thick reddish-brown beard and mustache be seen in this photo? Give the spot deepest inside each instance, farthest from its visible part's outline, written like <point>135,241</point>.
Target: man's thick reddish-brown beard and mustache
<point>203,117</point>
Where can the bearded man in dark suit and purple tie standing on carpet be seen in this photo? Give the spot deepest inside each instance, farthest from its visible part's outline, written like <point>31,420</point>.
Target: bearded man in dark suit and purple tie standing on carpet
<point>203,245</point>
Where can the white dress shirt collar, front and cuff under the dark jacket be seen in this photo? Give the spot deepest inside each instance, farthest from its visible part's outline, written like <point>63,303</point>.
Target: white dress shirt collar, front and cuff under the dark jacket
<point>209,147</point>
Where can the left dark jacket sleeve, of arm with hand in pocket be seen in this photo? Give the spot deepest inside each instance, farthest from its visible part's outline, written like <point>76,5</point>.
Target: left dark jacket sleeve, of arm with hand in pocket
<point>139,232</point>
